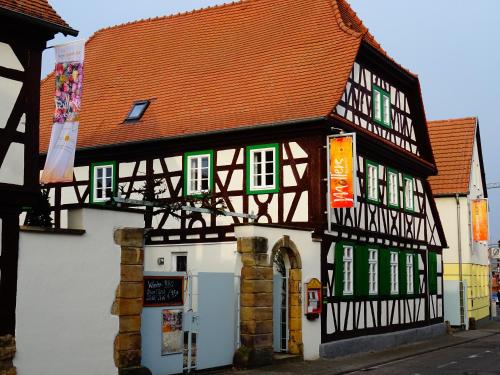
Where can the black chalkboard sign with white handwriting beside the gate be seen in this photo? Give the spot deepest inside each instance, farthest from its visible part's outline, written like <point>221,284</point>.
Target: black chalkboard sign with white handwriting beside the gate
<point>163,290</point>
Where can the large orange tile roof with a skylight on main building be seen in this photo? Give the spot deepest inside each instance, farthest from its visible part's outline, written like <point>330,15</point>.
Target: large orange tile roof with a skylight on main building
<point>243,64</point>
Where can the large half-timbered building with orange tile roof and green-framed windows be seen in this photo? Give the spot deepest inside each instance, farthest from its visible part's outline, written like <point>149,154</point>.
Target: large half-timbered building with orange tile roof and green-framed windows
<point>239,100</point>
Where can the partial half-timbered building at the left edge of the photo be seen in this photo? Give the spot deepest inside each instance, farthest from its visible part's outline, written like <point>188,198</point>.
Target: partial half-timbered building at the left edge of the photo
<point>25,27</point>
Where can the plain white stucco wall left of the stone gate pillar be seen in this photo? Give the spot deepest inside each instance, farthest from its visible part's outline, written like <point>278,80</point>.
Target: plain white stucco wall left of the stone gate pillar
<point>66,287</point>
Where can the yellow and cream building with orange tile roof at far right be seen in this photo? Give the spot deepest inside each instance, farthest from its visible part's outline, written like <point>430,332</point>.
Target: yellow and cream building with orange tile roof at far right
<point>456,145</point>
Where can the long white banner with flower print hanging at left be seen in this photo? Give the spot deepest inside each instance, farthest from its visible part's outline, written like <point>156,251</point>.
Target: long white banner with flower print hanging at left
<point>68,95</point>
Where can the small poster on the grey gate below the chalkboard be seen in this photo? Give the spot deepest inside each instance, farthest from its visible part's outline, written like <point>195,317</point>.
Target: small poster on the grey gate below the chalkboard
<point>172,341</point>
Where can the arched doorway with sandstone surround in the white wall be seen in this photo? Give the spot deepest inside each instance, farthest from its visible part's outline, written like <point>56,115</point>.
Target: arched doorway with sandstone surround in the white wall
<point>287,302</point>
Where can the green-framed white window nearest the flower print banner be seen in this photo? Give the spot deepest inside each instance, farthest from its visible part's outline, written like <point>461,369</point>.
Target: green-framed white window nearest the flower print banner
<point>99,190</point>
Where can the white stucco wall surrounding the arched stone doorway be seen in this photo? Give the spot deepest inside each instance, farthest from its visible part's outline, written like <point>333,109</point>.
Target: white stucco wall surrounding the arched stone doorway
<point>310,254</point>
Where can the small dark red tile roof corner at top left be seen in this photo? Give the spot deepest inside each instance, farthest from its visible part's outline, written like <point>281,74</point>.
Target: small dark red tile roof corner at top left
<point>39,9</point>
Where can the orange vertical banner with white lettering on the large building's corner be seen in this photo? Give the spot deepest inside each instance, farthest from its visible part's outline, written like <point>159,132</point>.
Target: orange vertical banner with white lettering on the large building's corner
<point>341,172</point>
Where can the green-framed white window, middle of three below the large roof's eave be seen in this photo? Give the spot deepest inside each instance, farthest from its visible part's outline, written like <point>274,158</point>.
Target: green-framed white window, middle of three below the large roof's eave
<point>197,173</point>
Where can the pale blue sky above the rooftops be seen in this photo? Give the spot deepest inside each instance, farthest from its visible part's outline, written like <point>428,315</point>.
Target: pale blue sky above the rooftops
<point>451,44</point>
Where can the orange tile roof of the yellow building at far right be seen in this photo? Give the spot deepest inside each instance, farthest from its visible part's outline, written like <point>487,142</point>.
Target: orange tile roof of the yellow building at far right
<point>453,143</point>
